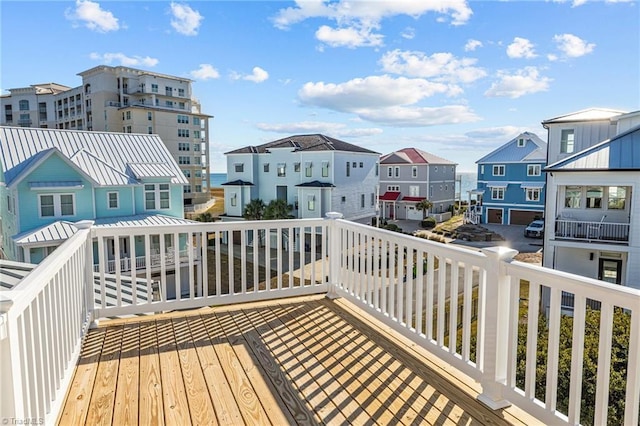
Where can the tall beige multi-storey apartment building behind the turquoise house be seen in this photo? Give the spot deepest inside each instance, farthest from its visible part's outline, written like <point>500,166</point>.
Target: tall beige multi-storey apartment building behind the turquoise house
<point>127,100</point>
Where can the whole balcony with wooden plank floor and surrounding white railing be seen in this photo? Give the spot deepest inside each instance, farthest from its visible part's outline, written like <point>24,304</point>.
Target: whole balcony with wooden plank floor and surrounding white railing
<point>356,327</point>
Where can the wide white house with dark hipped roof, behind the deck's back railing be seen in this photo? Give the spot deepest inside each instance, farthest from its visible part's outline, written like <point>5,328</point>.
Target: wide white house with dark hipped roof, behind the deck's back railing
<point>315,174</point>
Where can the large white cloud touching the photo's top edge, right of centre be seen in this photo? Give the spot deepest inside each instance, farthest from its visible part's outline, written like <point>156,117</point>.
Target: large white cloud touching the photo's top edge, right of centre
<point>356,20</point>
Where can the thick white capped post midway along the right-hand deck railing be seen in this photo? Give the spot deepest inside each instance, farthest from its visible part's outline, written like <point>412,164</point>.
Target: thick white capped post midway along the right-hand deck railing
<point>494,334</point>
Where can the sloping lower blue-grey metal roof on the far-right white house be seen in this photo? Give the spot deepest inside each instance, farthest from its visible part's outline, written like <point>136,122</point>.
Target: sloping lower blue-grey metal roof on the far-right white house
<point>622,152</point>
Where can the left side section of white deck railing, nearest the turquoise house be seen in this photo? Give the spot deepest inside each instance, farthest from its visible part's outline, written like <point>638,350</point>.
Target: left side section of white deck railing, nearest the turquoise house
<point>42,322</point>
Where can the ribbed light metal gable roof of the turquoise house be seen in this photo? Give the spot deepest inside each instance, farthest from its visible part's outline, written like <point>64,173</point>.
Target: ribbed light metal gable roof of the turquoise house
<point>102,156</point>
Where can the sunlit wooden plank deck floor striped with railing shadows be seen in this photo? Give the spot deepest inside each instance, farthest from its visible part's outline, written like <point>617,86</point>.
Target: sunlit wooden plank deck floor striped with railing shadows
<point>300,361</point>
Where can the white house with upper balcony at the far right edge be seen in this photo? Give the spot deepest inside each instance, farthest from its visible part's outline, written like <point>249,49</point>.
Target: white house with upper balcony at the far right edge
<point>593,183</point>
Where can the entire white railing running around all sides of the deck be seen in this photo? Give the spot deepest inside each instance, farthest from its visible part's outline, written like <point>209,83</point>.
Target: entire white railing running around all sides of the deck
<point>481,313</point>
